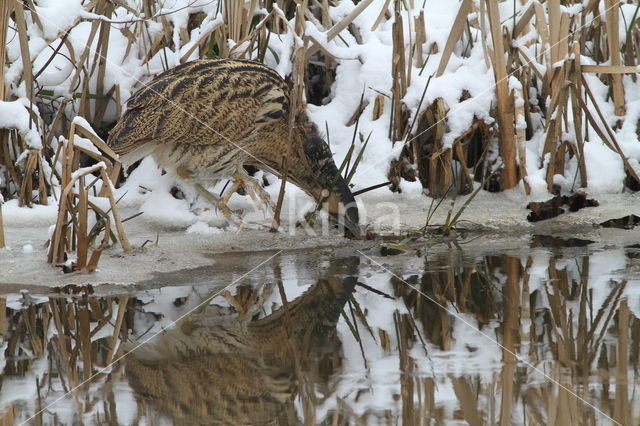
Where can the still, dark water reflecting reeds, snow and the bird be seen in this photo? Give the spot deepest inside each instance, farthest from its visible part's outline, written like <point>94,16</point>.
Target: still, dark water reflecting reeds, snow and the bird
<point>545,332</point>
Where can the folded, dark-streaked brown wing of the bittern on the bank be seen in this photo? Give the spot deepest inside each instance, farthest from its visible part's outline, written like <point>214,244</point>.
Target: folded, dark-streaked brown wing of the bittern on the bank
<point>202,103</point>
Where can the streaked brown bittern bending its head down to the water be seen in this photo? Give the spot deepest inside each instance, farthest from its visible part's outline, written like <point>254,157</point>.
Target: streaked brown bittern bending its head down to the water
<point>206,119</point>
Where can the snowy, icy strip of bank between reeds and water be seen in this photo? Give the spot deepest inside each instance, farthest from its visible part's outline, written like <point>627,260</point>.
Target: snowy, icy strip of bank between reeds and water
<point>174,244</point>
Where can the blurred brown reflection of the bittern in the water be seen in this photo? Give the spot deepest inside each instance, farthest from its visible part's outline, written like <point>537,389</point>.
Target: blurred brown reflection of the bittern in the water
<point>222,369</point>
